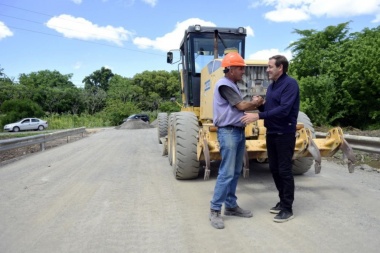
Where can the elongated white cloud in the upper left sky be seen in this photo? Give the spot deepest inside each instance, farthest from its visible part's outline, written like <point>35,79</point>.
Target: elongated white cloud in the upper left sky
<point>80,28</point>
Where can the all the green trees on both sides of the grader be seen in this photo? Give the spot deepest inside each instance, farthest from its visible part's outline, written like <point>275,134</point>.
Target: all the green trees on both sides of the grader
<point>338,74</point>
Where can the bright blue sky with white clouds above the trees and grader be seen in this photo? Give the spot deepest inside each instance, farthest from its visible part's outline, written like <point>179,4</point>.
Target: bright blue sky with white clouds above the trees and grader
<point>129,37</point>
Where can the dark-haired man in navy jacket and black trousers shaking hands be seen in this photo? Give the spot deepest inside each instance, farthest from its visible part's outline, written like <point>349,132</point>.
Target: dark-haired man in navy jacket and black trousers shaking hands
<point>280,112</point>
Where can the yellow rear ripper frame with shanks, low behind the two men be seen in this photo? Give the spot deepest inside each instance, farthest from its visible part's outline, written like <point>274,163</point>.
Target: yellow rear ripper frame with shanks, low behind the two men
<point>208,148</point>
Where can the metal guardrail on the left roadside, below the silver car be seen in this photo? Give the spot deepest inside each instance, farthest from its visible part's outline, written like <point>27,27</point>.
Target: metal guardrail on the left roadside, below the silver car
<point>41,139</point>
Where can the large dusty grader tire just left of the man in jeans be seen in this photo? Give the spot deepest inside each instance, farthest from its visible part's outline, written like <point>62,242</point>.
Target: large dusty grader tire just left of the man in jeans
<point>184,145</point>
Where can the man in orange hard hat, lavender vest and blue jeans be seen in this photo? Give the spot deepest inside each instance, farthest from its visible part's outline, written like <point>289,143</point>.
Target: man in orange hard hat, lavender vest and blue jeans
<point>228,108</point>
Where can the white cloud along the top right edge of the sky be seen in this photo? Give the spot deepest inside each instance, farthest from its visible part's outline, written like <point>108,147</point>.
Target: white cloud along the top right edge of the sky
<point>298,10</point>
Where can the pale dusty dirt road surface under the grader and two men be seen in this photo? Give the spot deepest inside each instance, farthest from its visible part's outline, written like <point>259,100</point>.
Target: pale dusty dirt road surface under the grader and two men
<point>113,191</point>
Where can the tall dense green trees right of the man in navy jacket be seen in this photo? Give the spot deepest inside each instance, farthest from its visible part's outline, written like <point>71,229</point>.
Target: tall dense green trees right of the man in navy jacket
<point>339,67</point>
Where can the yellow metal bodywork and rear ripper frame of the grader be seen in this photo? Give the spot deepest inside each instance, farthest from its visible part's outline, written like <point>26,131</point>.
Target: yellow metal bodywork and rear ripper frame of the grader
<point>208,148</point>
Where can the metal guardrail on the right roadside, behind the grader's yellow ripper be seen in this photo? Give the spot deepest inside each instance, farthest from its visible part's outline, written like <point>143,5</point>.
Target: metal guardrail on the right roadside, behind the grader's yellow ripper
<point>362,143</point>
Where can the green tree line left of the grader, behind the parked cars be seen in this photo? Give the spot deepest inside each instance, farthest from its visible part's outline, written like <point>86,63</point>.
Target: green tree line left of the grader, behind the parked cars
<point>109,95</point>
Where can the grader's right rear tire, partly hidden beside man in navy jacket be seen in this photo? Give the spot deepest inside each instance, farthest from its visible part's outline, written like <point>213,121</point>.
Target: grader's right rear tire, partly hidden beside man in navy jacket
<point>303,164</point>
